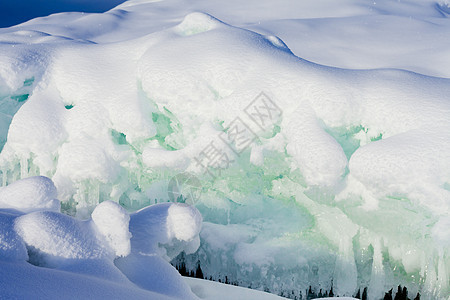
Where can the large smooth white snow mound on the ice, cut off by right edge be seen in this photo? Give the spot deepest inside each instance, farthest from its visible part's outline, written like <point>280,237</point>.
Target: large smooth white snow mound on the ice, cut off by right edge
<point>416,162</point>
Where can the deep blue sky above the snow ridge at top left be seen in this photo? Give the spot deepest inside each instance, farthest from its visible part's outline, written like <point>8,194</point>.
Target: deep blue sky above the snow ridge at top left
<point>14,12</point>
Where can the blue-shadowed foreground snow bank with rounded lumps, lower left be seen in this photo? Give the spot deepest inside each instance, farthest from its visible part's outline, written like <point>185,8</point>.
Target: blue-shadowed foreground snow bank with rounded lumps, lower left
<point>64,251</point>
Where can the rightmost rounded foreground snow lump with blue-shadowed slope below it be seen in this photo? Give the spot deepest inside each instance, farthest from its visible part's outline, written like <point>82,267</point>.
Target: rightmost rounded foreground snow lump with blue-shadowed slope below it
<point>159,232</point>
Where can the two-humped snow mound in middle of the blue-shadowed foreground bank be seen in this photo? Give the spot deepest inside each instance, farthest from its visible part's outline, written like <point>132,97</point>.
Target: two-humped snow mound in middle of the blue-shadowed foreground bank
<point>55,237</point>
